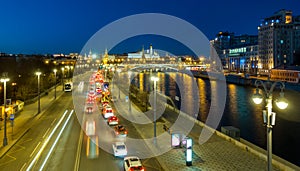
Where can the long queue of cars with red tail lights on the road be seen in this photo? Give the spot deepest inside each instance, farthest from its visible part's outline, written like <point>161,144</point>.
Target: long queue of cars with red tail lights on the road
<point>98,98</point>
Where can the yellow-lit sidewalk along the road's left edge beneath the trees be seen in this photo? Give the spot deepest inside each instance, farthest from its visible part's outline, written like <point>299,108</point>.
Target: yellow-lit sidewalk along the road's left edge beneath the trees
<point>24,119</point>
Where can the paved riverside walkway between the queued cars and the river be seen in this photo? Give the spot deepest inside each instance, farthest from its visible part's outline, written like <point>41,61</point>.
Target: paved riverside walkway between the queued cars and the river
<point>216,154</point>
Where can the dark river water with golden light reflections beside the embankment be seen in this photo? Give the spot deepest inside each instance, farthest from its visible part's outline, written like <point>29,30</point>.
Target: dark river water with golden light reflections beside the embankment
<point>239,110</point>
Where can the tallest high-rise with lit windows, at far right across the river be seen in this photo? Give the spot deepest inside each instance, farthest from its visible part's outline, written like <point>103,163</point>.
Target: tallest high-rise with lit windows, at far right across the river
<point>276,40</point>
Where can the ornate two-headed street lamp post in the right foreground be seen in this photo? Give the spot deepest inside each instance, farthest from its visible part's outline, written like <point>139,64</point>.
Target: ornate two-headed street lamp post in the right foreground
<point>269,116</point>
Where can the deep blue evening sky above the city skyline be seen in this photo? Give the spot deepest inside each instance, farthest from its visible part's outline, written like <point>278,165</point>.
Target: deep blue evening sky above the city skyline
<point>64,26</point>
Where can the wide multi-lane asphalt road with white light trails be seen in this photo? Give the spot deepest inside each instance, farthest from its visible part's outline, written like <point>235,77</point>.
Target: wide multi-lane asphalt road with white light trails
<point>55,141</point>
